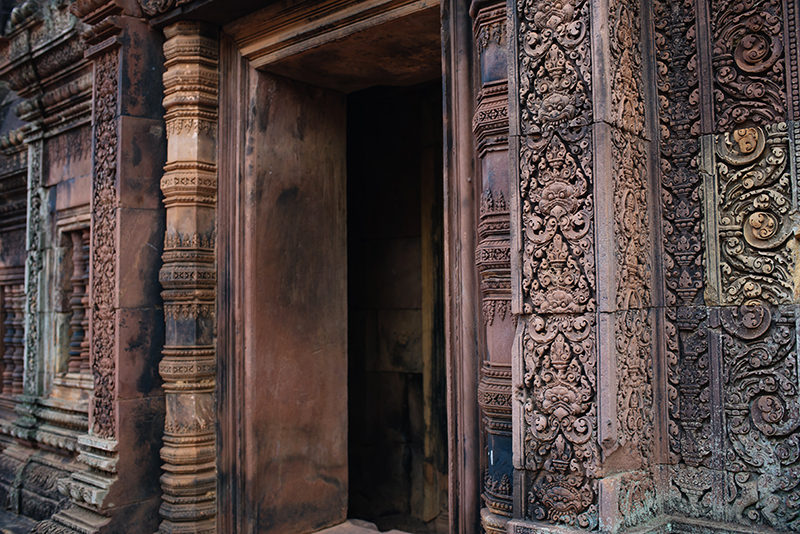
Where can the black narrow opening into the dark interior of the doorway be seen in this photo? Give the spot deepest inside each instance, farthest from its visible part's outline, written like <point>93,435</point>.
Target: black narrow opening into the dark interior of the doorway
<point>397,415</point>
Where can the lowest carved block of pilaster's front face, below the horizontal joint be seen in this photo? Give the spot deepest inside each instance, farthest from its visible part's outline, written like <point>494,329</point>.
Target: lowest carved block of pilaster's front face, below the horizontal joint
<point>560,411</point>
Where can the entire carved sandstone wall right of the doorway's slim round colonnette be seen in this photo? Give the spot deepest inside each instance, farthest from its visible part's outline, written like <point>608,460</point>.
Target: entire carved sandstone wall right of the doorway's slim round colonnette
<point>656,362</point>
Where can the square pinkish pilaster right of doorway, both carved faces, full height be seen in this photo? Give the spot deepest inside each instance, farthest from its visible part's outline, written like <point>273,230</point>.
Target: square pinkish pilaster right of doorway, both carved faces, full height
<point>584,351</point>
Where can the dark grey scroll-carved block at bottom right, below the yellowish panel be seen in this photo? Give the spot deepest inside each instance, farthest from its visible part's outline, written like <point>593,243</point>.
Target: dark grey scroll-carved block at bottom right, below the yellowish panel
<point>762,415</point>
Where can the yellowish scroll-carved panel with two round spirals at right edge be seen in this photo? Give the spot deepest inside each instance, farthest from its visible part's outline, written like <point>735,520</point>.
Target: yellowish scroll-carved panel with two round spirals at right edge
<point>754,223</point>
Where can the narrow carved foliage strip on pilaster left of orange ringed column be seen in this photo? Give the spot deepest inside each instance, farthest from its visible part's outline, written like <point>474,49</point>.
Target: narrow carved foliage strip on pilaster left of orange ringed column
<point>104,245</point>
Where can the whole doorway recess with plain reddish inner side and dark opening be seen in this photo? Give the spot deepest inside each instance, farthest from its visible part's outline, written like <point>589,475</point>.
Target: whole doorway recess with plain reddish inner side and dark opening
<point>342,388</point>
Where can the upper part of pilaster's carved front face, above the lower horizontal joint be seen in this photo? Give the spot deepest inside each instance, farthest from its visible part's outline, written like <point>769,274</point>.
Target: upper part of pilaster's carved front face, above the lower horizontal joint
<point>555,159</point>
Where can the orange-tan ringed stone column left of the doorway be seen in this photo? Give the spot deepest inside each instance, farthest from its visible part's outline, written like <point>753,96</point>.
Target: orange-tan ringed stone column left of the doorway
<point>188,278</point>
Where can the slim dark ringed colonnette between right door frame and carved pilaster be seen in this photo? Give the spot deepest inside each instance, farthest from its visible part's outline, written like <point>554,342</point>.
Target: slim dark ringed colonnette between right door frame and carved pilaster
<point>492,258</point>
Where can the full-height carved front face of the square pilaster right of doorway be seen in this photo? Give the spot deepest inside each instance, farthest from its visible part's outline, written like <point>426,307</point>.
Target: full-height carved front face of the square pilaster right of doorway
<point>558,267</point>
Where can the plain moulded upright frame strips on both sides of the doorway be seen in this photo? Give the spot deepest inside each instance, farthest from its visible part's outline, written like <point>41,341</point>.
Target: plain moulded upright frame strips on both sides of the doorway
<point>461,296</point>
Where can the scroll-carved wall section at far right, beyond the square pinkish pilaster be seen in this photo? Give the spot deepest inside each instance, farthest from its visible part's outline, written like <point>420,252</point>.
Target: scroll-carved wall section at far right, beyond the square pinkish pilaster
<point>727,82</point>
